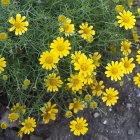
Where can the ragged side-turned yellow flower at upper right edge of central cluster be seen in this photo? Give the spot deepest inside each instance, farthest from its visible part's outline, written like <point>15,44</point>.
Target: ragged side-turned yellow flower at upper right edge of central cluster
<point>95,58</point>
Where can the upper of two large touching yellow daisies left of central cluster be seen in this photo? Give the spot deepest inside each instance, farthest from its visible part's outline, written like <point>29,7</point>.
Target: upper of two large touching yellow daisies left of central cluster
<point>60,47</point>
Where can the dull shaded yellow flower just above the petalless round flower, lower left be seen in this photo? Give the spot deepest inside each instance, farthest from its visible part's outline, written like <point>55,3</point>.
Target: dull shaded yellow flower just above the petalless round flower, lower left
<point>18,108</point>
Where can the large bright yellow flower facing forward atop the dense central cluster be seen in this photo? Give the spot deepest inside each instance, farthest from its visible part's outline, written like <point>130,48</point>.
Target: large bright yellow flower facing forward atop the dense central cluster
<point>85,66</point>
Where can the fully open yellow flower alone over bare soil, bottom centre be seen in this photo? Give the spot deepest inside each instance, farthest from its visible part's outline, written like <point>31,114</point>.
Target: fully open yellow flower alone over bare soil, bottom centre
<point>79,126</point>
